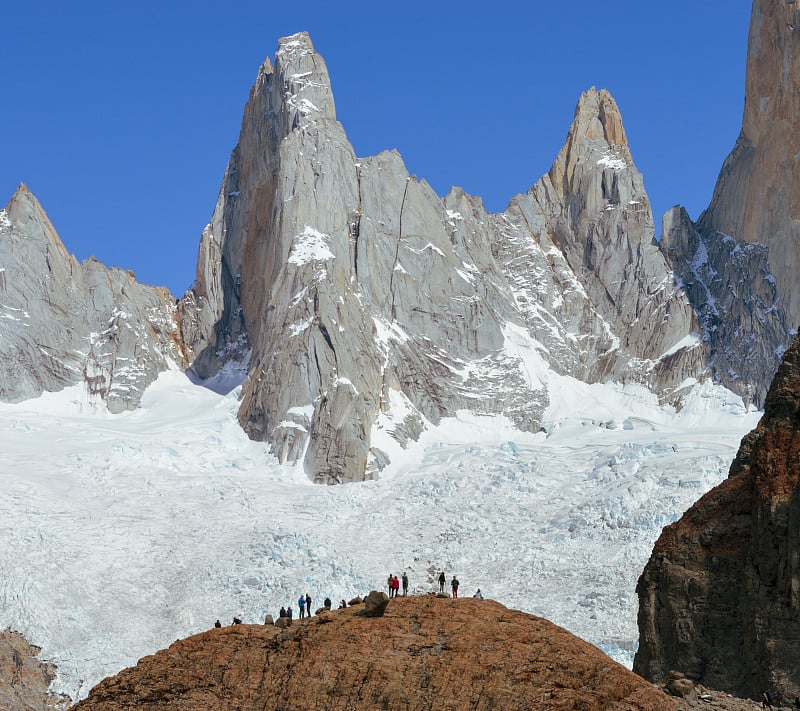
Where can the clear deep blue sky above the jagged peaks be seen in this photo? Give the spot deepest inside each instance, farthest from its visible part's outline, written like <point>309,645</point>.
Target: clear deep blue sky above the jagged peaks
<point>121,116</point>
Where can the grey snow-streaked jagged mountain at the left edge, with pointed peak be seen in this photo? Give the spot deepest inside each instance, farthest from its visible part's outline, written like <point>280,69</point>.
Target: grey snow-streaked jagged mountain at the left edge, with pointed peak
<point>63,323</point>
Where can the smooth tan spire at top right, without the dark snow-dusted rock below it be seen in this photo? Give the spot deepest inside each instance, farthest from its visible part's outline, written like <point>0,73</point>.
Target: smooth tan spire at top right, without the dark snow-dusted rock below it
<point>757,196</point>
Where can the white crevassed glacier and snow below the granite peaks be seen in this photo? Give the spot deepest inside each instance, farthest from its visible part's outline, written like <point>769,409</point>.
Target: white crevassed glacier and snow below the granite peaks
<point>122,533</point>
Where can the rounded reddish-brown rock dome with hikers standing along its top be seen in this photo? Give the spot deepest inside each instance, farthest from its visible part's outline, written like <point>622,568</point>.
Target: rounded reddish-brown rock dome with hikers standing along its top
<point>423,653</point>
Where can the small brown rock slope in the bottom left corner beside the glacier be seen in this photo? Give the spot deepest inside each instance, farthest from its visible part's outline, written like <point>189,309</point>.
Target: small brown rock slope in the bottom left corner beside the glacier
<point>24,679</point>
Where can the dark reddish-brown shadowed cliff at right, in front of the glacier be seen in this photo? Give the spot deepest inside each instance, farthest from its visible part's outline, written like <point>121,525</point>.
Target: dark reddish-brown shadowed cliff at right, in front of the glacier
<point>719,599</point>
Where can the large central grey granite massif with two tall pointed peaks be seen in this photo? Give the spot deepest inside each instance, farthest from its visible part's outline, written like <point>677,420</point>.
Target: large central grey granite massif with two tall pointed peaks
<point>361,301</point>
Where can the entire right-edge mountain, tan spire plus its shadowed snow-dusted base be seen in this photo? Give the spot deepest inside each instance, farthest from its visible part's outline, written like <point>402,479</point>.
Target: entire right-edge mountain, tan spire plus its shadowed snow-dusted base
<point>739,262</point>
